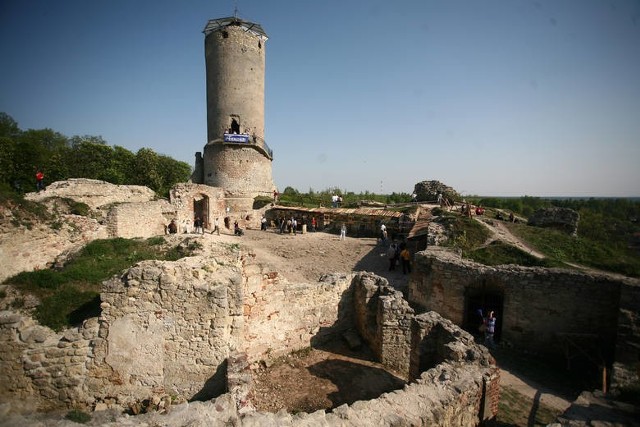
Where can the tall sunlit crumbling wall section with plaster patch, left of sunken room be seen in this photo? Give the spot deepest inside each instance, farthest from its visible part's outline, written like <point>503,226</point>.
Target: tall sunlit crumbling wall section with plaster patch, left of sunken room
<point>167,327</point>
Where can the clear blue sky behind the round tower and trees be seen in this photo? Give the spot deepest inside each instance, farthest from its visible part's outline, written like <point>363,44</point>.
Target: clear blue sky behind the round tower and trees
<point>505,98</point>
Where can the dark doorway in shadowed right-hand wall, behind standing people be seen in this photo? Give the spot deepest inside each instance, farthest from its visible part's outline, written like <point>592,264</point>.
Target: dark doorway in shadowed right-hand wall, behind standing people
<point>486,300</point>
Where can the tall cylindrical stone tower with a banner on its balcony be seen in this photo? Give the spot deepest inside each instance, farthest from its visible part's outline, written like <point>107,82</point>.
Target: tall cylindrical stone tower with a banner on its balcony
<point>236,156</point>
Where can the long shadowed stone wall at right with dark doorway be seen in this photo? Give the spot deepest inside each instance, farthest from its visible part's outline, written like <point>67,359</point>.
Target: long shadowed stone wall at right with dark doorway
<point>539,310</point>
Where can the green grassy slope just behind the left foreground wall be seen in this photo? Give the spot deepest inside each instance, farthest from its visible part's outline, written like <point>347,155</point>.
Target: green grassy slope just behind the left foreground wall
<point>71,294</point>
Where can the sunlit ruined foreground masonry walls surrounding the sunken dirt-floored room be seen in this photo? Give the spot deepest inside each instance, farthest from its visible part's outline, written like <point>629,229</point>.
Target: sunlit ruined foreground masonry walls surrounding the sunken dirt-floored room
<point>172,328</point>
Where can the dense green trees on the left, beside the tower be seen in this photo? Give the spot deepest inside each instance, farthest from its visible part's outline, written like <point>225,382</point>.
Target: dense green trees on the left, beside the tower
<point>24,152</point>
